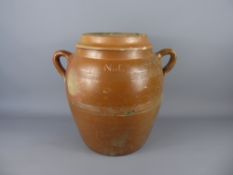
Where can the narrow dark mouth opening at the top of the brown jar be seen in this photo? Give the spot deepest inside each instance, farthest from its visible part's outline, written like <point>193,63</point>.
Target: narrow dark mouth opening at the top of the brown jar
<point>115,34</point>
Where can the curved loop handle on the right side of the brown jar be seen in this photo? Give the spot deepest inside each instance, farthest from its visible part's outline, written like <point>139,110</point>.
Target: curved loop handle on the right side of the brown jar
<point>172,60</point>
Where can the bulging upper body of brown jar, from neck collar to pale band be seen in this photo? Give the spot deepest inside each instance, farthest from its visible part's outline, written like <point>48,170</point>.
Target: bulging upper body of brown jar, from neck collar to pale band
<point>114,81</point>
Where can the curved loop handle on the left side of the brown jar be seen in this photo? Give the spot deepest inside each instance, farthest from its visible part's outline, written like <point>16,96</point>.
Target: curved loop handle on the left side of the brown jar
<point>57,61</point>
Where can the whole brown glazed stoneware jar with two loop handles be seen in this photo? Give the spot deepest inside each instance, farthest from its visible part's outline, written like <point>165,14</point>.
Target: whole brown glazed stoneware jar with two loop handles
<point>114,85</point>
